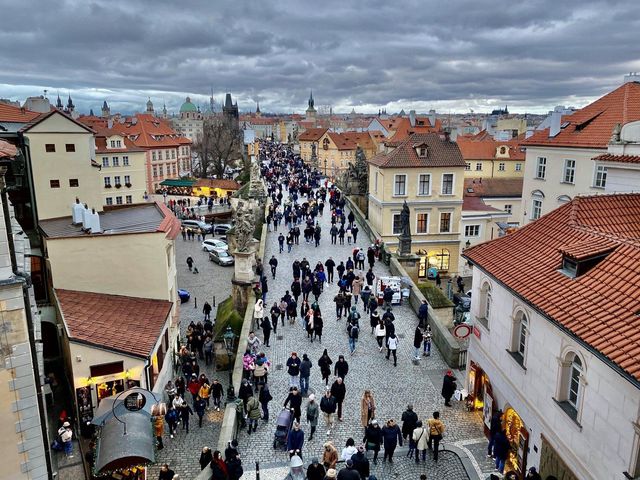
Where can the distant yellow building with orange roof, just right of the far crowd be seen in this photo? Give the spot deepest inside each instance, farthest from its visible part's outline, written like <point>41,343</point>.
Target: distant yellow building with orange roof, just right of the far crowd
<point>337,150</point>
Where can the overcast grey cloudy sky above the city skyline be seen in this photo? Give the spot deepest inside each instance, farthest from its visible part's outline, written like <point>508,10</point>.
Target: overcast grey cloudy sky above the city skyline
<point>452,56</point>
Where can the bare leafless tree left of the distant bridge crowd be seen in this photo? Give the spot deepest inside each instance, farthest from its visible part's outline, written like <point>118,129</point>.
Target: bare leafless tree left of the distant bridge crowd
<point>219,146</point>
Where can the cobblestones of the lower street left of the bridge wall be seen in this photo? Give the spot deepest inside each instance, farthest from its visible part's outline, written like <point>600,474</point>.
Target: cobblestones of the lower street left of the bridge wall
<point>183,452</point>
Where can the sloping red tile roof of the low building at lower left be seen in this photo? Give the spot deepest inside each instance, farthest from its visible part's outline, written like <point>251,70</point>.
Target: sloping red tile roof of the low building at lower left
<point>128,325</point>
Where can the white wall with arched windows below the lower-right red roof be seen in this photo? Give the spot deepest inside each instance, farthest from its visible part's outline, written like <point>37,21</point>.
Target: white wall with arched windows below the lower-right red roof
<point>602,441</point>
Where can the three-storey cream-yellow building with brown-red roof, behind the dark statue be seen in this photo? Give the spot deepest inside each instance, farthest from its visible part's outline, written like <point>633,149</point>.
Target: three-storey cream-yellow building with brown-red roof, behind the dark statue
<point>427,172</point>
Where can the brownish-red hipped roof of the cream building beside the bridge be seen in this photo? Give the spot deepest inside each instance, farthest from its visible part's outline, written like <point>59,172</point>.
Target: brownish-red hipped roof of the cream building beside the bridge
<point>441,153</point>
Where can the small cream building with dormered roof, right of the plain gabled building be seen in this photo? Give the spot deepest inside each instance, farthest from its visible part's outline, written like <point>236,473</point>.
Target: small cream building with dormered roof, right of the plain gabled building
<point>122,168</point>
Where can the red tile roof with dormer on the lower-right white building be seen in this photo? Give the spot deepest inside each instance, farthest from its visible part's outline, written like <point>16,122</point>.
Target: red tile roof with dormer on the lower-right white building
<point>600,306</point>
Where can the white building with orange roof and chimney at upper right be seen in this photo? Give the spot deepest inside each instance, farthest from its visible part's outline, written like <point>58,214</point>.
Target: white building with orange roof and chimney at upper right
<point>559,162</point>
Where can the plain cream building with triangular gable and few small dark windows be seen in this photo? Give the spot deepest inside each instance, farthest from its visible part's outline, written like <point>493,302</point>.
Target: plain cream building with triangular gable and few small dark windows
<point>63,164</point>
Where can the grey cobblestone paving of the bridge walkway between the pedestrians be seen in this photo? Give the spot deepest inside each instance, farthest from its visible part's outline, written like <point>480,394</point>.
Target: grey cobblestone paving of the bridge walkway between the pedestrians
<point>392,387</point>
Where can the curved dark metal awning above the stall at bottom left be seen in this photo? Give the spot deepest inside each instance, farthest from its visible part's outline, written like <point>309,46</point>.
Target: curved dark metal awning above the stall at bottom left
<point>115,450</point>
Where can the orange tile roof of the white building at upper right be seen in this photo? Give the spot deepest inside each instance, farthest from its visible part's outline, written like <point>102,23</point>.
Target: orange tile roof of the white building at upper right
<point>591,126</point>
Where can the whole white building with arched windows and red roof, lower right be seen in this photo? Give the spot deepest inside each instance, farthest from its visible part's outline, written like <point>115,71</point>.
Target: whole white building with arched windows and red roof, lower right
<point>555,342</point>
